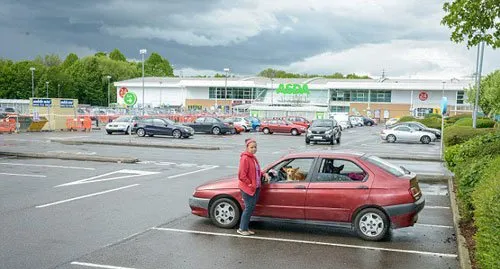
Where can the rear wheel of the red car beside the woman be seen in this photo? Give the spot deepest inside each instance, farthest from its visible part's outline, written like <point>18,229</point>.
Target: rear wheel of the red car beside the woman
<point>371,224</point>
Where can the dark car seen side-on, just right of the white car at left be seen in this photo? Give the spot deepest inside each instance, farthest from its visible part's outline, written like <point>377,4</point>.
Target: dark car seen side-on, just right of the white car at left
<point>154,126</point>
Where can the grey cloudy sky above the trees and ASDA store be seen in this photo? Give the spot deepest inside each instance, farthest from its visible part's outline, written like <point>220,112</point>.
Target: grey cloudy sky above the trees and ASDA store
<point>404,38</point>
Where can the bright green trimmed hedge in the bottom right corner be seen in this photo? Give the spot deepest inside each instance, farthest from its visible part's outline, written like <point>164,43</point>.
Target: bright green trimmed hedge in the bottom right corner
<point>486,199</point>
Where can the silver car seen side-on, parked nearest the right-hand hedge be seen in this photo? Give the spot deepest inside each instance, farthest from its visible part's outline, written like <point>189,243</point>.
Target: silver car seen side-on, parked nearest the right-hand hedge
<point>406,134</point>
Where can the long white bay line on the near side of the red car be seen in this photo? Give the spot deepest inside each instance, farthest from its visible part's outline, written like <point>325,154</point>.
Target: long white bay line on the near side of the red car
<point>447,255</point>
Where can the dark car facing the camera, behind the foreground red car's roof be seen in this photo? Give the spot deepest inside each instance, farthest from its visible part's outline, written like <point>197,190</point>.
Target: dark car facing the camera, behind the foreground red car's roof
<point>326,130</point>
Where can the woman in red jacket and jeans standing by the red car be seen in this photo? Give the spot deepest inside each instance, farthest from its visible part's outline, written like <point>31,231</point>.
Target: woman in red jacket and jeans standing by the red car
<point>249,175</point>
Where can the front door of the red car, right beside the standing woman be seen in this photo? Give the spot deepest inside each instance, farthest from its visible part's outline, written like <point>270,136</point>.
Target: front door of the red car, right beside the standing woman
<point>280,198</point>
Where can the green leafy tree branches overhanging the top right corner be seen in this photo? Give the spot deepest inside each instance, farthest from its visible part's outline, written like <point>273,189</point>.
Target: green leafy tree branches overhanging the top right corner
<point>474,21</point>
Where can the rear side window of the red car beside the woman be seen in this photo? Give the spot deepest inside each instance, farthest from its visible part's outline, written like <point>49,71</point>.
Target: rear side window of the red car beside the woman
<point>339,170</point>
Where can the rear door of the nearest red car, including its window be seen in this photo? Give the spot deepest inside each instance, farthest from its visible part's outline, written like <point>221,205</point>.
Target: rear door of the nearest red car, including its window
<point>337,188</point>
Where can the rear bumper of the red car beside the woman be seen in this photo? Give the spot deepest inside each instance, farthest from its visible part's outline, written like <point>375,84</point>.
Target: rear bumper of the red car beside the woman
<point>404,215</point>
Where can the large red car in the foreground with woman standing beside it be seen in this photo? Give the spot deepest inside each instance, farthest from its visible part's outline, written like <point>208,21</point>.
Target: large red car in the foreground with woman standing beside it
<point>356,191</point>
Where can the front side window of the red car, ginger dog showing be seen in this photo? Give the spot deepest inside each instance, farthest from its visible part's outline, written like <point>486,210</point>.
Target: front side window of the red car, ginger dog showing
<point>291,170</point>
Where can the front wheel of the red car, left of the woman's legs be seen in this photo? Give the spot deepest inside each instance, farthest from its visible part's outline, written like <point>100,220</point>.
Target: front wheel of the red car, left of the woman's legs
<point>224,213</point>
